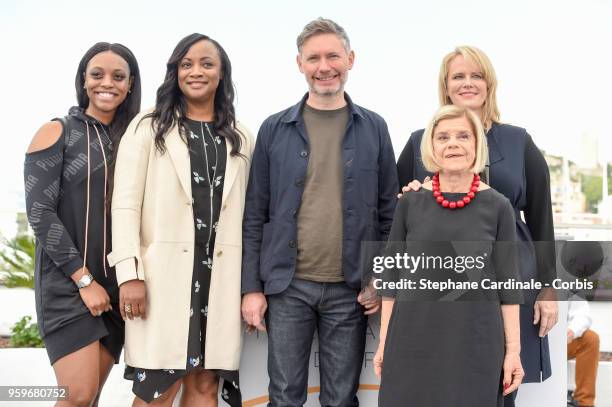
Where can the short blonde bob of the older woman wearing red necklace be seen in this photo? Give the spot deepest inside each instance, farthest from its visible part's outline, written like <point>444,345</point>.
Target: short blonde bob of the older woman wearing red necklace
<point>454,112</point>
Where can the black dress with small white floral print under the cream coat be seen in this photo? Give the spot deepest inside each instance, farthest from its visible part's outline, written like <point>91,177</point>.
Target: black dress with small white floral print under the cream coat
<point>207,153</point>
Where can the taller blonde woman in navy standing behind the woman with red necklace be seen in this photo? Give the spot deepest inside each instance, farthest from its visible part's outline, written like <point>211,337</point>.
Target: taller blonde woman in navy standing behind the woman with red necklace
<point>517,169</point>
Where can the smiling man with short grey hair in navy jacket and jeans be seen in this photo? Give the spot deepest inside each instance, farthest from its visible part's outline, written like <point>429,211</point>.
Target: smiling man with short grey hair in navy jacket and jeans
<point>323,179</point>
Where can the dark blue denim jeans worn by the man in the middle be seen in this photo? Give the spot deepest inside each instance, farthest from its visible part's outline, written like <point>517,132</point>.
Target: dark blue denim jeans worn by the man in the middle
<point>292,317</point>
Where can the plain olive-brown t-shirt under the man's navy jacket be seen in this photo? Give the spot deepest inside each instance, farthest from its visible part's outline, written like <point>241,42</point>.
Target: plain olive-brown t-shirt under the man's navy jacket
<point>319,224</point>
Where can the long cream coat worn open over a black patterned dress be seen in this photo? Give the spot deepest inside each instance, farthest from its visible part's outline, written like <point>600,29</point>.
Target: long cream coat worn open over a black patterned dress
<point>152,222</point>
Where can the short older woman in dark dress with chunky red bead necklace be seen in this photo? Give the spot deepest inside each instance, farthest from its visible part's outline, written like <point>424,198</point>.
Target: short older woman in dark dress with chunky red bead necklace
<point>465,352</point>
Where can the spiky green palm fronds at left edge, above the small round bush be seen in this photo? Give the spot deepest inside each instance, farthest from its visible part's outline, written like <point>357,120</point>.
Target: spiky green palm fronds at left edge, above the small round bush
<point>17,261</point>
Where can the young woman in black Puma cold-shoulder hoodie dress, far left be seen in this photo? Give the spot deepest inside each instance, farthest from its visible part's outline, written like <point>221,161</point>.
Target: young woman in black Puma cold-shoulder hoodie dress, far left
<point>68,171</point>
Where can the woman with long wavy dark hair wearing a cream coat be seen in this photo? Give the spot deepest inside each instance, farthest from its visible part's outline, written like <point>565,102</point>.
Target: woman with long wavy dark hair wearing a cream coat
<point>177,208</point>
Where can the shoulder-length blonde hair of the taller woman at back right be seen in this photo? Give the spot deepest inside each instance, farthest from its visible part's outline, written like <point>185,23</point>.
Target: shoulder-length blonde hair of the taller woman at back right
<point>490,111</point>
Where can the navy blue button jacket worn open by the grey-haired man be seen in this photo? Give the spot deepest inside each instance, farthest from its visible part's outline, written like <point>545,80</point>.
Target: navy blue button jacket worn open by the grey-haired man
<point>276,184</point>
